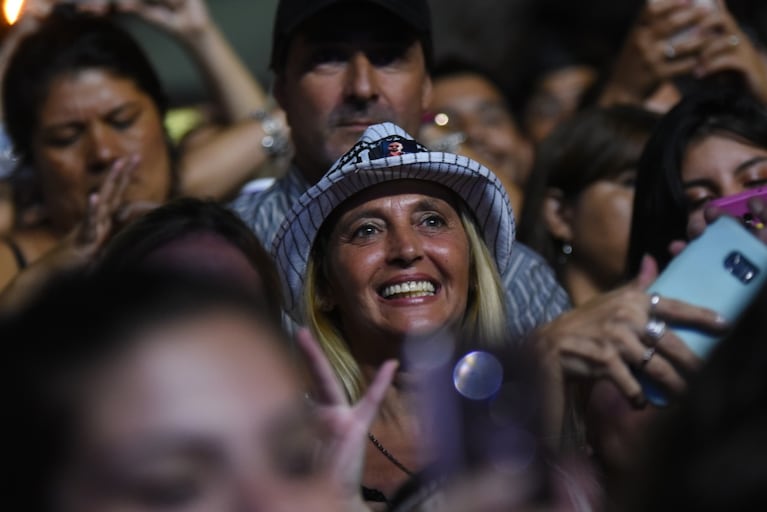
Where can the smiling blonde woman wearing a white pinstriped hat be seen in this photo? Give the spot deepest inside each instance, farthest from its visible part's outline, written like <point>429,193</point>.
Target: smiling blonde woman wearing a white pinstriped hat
<point>396,243</point>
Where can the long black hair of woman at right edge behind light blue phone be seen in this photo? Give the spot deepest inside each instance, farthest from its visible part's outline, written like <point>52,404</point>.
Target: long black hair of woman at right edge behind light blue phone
<point>660,207</point>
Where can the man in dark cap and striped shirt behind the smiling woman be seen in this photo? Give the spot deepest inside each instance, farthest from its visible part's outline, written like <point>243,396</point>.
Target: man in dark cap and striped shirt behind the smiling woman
<point>342,65</point>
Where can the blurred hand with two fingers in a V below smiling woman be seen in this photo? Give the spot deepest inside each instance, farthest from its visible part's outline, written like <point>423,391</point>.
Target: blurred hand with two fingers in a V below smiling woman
<point>345,427</point>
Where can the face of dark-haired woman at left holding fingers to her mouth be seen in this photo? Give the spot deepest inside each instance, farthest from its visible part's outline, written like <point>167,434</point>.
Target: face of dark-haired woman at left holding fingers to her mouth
<point>88,121</point>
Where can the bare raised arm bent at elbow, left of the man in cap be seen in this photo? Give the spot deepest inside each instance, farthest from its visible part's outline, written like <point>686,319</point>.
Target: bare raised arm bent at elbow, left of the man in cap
<point>219,163</point>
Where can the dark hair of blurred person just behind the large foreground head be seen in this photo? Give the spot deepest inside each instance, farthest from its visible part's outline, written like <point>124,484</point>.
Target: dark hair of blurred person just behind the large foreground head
<point>184,216</point>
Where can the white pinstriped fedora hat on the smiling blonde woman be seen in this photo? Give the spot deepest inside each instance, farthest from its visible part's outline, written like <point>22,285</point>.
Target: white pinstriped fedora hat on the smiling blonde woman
<point>384,153</point>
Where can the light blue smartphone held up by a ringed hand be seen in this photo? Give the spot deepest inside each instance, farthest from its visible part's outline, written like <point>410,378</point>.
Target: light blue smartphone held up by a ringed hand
<point>721,270</point>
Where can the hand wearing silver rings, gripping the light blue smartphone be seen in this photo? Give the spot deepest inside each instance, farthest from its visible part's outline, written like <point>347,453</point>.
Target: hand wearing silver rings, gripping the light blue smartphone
<point>610,335</point>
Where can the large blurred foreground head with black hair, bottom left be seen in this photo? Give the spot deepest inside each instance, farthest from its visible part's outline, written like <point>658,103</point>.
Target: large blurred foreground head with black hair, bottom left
<point>142,391</point>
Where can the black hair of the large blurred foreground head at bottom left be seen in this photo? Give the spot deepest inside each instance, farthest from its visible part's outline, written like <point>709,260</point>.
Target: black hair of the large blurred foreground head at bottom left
<point>79,320</point>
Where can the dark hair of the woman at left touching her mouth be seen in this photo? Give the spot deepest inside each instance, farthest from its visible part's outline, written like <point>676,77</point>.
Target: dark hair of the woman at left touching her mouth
<point>65,43</point>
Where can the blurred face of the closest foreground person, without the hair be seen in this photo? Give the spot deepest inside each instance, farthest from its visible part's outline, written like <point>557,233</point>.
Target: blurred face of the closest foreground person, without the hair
<point>204,414</point>
